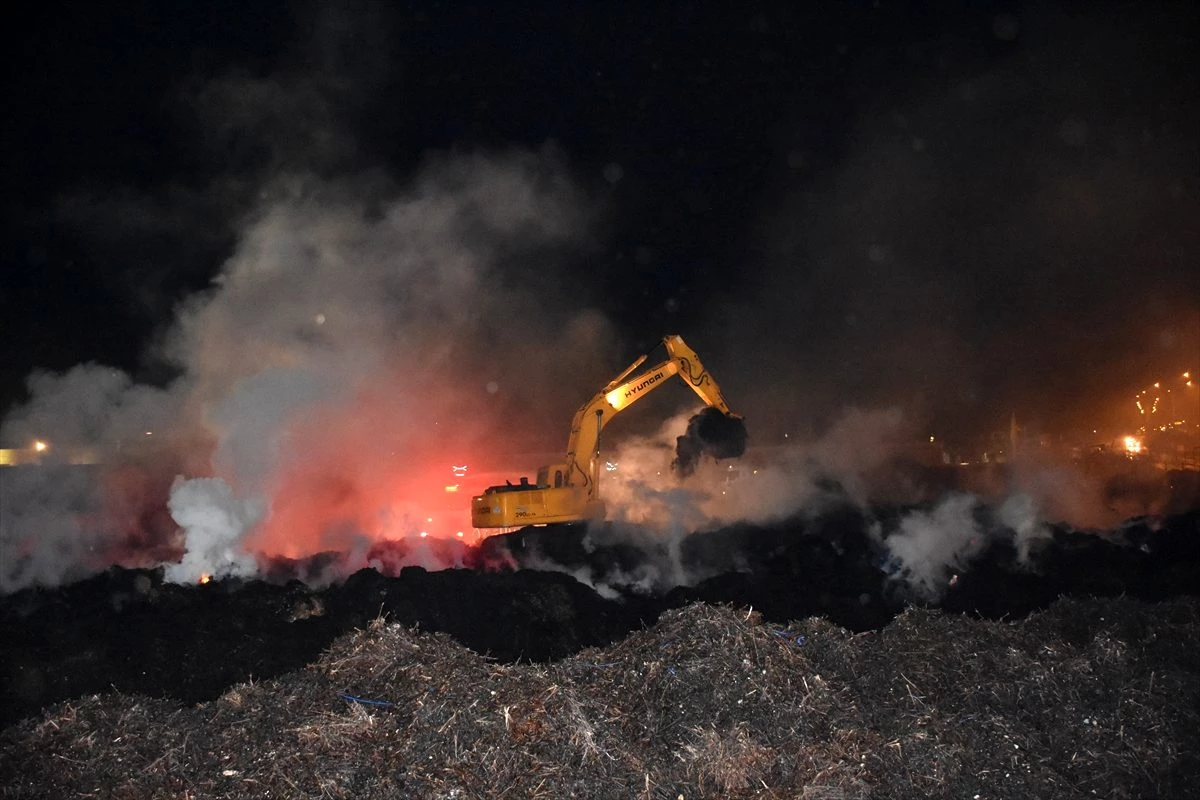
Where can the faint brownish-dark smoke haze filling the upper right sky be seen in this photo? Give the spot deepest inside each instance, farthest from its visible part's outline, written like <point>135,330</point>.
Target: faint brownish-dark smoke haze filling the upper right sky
<point>1009,238</point>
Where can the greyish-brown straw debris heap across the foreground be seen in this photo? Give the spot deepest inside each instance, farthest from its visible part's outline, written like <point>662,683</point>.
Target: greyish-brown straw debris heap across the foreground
<point>1082,699</point>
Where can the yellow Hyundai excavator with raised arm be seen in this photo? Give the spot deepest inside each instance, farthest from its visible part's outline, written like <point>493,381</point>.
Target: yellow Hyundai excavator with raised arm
<point>568,491</point>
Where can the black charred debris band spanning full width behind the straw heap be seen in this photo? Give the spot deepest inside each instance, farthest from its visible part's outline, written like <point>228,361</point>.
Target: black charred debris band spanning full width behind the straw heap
<point>541,596</point>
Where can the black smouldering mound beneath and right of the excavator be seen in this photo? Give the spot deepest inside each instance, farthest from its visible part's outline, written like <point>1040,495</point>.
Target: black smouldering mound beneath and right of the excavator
<point>861,568</point>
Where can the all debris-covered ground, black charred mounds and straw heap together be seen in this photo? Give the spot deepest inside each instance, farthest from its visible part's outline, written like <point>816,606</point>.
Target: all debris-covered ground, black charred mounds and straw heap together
<point>803,671</point>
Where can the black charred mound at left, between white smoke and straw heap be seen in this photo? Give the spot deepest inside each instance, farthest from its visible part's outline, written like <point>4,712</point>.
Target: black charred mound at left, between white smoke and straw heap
<point>130,631</point>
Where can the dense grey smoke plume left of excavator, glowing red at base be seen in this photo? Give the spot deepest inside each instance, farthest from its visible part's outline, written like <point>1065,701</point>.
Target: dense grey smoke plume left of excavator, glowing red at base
<point>339,365</point>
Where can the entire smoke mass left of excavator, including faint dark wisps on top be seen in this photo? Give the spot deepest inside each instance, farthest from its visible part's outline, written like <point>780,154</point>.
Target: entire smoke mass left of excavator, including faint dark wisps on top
<point>365,332</point>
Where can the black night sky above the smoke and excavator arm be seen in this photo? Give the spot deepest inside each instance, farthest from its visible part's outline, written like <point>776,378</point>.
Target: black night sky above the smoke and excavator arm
<point>962,209</point>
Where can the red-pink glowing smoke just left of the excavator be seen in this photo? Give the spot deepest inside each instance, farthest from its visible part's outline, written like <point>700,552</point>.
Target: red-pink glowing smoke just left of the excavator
<point>371,472</point>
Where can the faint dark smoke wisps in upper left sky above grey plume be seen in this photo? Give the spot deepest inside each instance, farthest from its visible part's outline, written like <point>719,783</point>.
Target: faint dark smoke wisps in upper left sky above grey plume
<point>236,133</point>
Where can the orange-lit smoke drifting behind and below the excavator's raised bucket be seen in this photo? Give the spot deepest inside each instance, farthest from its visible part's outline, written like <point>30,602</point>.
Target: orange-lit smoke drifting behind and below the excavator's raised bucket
<point>652,509</point>
